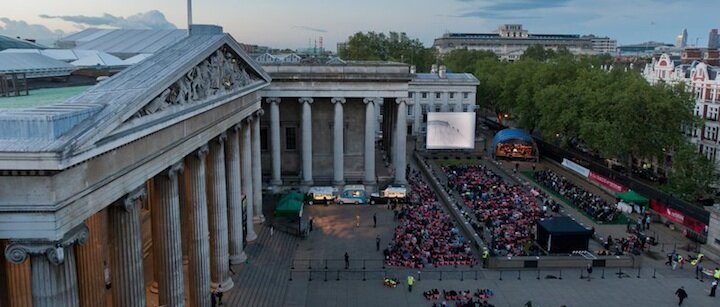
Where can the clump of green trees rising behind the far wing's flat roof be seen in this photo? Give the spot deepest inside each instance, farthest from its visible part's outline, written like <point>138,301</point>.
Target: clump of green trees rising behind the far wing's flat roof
<point>394,46</point>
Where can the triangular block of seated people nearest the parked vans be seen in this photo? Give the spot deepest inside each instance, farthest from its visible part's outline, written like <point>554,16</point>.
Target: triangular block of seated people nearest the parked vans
<point>425,234</point>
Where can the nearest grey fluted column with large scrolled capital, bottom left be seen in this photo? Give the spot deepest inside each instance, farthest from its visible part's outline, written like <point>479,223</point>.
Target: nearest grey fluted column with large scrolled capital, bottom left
<point>54,274</point>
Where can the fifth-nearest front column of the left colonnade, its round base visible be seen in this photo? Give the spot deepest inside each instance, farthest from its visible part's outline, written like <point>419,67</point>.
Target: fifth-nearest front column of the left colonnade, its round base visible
<point>217,212</point>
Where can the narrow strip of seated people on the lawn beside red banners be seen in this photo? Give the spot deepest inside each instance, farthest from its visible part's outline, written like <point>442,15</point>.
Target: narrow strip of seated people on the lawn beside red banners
<point>593,205</point>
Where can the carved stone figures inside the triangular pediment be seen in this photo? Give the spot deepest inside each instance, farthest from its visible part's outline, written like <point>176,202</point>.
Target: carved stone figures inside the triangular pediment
<point>221,73</point>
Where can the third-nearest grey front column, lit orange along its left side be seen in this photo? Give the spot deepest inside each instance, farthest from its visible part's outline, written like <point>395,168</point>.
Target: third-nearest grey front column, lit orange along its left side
<point>167,249</point>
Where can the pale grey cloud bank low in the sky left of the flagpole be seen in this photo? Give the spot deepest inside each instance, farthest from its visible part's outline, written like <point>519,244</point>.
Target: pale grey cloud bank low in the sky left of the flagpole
<point>149,20</point>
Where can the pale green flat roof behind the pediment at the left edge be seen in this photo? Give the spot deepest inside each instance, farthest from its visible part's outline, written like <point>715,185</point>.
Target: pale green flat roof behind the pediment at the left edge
<point>41,97</point>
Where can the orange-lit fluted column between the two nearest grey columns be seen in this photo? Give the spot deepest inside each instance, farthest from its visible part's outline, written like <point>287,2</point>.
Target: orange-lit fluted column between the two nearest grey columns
<point>91,262</point>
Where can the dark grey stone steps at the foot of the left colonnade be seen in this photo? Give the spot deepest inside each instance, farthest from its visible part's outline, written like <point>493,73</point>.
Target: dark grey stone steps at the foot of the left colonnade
<point>263,279</point>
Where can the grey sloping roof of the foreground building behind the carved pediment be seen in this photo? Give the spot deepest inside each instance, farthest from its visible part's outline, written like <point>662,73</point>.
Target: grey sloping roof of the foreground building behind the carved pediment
<point>61,128</point>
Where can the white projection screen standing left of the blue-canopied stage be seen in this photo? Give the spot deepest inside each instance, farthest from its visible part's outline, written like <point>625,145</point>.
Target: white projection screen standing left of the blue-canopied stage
<point>450,130</point>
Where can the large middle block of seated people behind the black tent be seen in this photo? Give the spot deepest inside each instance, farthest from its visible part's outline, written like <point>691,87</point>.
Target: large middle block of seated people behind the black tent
<point>506,210</point>
